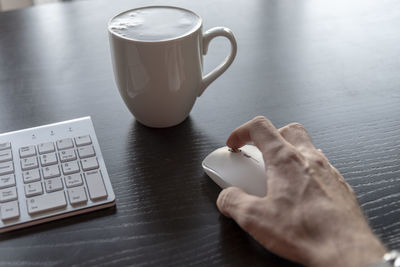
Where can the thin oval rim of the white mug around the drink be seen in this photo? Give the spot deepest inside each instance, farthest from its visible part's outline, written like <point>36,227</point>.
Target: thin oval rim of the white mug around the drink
<point>177,38</point>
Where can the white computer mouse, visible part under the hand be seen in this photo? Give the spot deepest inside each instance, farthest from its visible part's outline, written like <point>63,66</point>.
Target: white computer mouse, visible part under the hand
<point>243,168</point>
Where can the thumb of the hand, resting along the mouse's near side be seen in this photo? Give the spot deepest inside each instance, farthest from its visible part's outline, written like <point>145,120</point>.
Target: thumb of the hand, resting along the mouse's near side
<point>240,206</point>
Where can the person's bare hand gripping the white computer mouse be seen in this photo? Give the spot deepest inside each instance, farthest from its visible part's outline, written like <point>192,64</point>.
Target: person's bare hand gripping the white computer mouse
<point>310,214</point>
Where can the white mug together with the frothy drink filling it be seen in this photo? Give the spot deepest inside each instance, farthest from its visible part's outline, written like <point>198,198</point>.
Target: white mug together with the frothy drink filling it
<point>157,60</point>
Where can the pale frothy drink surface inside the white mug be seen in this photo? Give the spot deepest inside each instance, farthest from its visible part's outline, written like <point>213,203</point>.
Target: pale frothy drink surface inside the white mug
<point>154,23</point>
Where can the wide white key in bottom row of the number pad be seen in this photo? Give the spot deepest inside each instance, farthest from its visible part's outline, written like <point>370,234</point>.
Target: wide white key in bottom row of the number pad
<point>46,202</point>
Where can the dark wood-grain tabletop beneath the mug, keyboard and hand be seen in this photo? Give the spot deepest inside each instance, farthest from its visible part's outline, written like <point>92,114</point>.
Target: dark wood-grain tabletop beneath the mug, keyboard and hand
<point>333,66</point>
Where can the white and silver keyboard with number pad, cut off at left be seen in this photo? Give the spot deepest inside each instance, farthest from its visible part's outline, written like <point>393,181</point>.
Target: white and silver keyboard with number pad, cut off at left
<point>51,172</point>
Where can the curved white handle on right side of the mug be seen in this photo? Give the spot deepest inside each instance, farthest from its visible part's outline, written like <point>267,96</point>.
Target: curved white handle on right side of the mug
<point>221,68</point>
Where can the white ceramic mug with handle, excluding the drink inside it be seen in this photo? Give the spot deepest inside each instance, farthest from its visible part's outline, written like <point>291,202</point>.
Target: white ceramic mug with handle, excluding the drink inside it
<point>159,81</point>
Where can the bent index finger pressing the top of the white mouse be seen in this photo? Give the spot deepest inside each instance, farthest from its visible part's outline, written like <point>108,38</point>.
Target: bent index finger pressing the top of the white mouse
<point>264,135</point>
